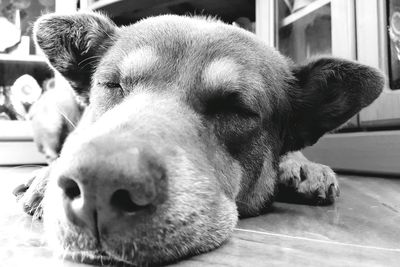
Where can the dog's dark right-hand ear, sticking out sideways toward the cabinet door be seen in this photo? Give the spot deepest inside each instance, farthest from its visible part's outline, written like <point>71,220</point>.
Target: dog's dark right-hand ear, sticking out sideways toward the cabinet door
<point>325,94</point>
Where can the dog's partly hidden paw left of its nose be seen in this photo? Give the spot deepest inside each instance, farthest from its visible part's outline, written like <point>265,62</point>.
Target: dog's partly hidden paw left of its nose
<point>30,194</point>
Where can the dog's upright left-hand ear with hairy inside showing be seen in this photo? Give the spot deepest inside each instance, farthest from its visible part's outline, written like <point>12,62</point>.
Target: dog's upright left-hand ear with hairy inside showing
<point>74,44</point>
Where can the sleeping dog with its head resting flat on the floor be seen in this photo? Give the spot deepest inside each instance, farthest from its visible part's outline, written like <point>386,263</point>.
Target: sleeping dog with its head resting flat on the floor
<point>189,124</point>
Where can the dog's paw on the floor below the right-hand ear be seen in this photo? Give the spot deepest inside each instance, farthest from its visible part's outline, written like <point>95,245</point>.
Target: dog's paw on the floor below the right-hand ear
<point>301,180</point>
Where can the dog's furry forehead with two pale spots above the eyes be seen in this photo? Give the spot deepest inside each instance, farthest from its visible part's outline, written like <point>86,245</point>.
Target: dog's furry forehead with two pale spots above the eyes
<point>189,52</point>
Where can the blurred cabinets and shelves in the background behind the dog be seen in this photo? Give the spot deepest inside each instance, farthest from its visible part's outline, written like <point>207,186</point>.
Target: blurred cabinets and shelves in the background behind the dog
<point>363,30</point>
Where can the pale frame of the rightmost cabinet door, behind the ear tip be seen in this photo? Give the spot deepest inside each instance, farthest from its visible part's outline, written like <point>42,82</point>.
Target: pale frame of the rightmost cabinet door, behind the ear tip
<point>371,25</point>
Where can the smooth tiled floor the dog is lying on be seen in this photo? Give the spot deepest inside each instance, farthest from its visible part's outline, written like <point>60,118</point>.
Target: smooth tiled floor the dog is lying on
<point>361,229</point>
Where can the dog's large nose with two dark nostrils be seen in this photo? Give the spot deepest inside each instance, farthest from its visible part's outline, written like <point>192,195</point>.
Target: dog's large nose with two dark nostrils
<point>105,188</point>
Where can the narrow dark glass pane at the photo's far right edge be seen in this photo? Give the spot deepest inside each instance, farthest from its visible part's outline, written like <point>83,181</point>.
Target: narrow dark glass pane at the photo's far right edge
<point>394,43</point>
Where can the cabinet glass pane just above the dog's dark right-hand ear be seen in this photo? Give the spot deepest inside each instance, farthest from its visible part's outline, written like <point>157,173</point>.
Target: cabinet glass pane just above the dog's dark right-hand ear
<point>304,33</point>
